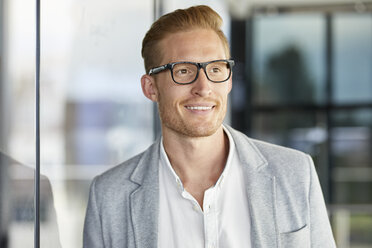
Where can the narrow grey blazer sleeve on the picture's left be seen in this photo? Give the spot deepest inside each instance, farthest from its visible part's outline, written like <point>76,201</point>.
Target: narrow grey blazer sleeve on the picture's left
<point>93,236</point>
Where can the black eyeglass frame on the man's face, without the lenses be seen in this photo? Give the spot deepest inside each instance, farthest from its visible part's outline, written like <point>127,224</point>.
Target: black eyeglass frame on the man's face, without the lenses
<point>170,66</point>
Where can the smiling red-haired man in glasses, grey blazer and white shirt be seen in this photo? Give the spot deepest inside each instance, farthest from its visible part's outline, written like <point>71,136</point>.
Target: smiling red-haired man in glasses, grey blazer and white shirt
<point>203,184</point>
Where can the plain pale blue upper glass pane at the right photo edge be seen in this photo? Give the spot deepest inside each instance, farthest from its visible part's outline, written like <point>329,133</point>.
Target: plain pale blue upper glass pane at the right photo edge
<point>352,58</point>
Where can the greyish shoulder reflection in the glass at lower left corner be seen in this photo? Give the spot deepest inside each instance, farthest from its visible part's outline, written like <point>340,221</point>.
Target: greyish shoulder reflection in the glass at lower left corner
<point>17,205</point>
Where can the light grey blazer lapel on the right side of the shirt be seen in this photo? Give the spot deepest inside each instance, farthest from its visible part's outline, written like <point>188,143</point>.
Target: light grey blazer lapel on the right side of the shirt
<point>261,191</point>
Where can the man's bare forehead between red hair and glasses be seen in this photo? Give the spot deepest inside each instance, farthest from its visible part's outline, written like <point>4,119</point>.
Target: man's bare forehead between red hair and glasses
<point>198,45</point>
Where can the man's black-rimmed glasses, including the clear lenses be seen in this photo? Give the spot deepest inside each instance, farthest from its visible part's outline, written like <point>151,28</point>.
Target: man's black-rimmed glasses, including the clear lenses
<point>217,71</point>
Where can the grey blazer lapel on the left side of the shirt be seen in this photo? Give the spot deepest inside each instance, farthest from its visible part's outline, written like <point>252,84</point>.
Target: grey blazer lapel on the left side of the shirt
<point>144,201</point>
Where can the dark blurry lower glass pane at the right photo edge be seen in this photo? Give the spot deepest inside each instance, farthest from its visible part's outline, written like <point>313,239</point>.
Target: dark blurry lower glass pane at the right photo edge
<point>351,153</point>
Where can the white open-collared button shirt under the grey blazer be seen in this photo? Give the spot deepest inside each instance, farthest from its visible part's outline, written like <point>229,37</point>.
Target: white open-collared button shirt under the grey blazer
<point>225,221</point>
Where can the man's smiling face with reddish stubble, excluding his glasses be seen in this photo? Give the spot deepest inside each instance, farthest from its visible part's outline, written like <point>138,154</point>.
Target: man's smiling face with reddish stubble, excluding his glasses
<point>197,109</point>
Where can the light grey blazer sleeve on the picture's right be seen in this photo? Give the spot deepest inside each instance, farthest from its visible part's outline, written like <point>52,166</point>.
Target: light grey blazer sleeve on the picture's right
<point>321,232</point>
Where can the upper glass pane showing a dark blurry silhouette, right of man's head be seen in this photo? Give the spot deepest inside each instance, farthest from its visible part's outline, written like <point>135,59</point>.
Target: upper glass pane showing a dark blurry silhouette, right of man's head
<point>288,60</point>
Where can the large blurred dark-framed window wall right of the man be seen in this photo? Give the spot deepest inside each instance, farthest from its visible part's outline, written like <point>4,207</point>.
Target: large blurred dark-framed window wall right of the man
<point>305,81</point>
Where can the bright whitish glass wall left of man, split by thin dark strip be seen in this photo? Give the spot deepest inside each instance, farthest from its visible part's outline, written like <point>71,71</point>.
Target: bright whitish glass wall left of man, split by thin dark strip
<point>93,112</point>
